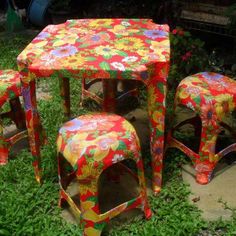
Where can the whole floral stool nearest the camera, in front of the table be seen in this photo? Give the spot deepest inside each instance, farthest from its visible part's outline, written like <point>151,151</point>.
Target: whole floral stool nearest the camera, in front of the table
<point>90,144</point>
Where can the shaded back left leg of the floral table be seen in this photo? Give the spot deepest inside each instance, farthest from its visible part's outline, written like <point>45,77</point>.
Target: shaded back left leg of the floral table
<point>64,84</point>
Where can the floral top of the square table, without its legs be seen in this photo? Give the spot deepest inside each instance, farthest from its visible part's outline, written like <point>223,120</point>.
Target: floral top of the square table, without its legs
<point>98,48</point>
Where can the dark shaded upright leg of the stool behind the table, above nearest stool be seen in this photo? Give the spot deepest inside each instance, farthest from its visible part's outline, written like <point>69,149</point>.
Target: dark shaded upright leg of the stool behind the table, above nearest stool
<point>109,95</point>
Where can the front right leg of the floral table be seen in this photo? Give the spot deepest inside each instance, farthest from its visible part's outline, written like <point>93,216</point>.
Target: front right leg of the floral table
<point>156,110</point>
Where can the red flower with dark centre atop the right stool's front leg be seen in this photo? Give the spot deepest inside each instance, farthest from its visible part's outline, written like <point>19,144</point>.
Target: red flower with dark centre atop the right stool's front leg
<point>208,115</point>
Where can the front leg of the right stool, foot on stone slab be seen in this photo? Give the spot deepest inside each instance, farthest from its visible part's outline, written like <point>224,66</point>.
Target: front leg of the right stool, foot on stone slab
<point>205,164</point>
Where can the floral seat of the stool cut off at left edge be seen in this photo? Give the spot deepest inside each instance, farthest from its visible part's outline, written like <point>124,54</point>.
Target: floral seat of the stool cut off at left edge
<point>10,86</point>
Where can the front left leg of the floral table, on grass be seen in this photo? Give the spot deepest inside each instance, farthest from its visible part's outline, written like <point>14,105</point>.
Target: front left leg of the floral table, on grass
<point>33,125</point>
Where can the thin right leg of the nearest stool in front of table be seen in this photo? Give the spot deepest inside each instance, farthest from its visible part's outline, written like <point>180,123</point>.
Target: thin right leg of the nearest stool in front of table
<point>143,189</point>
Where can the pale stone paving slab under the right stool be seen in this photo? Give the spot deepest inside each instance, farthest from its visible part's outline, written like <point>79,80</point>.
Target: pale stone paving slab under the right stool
<point>208,197</point>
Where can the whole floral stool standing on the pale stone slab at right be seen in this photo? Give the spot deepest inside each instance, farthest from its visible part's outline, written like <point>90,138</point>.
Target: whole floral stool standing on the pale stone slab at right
<point>211,97</point>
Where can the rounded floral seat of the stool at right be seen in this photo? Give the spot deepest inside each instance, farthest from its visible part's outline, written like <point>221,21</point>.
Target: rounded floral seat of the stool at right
<point>207,93</point>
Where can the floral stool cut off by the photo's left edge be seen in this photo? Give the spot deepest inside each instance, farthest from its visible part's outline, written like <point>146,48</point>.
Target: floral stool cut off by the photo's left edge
<point>10,90</point>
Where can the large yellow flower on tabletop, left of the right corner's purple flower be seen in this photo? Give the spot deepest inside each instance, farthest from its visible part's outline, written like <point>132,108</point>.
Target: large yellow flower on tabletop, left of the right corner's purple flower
<point>129,43</point>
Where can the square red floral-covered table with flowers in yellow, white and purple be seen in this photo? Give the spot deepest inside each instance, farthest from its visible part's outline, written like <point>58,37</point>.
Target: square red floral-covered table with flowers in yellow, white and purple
<point>130,49</point>
